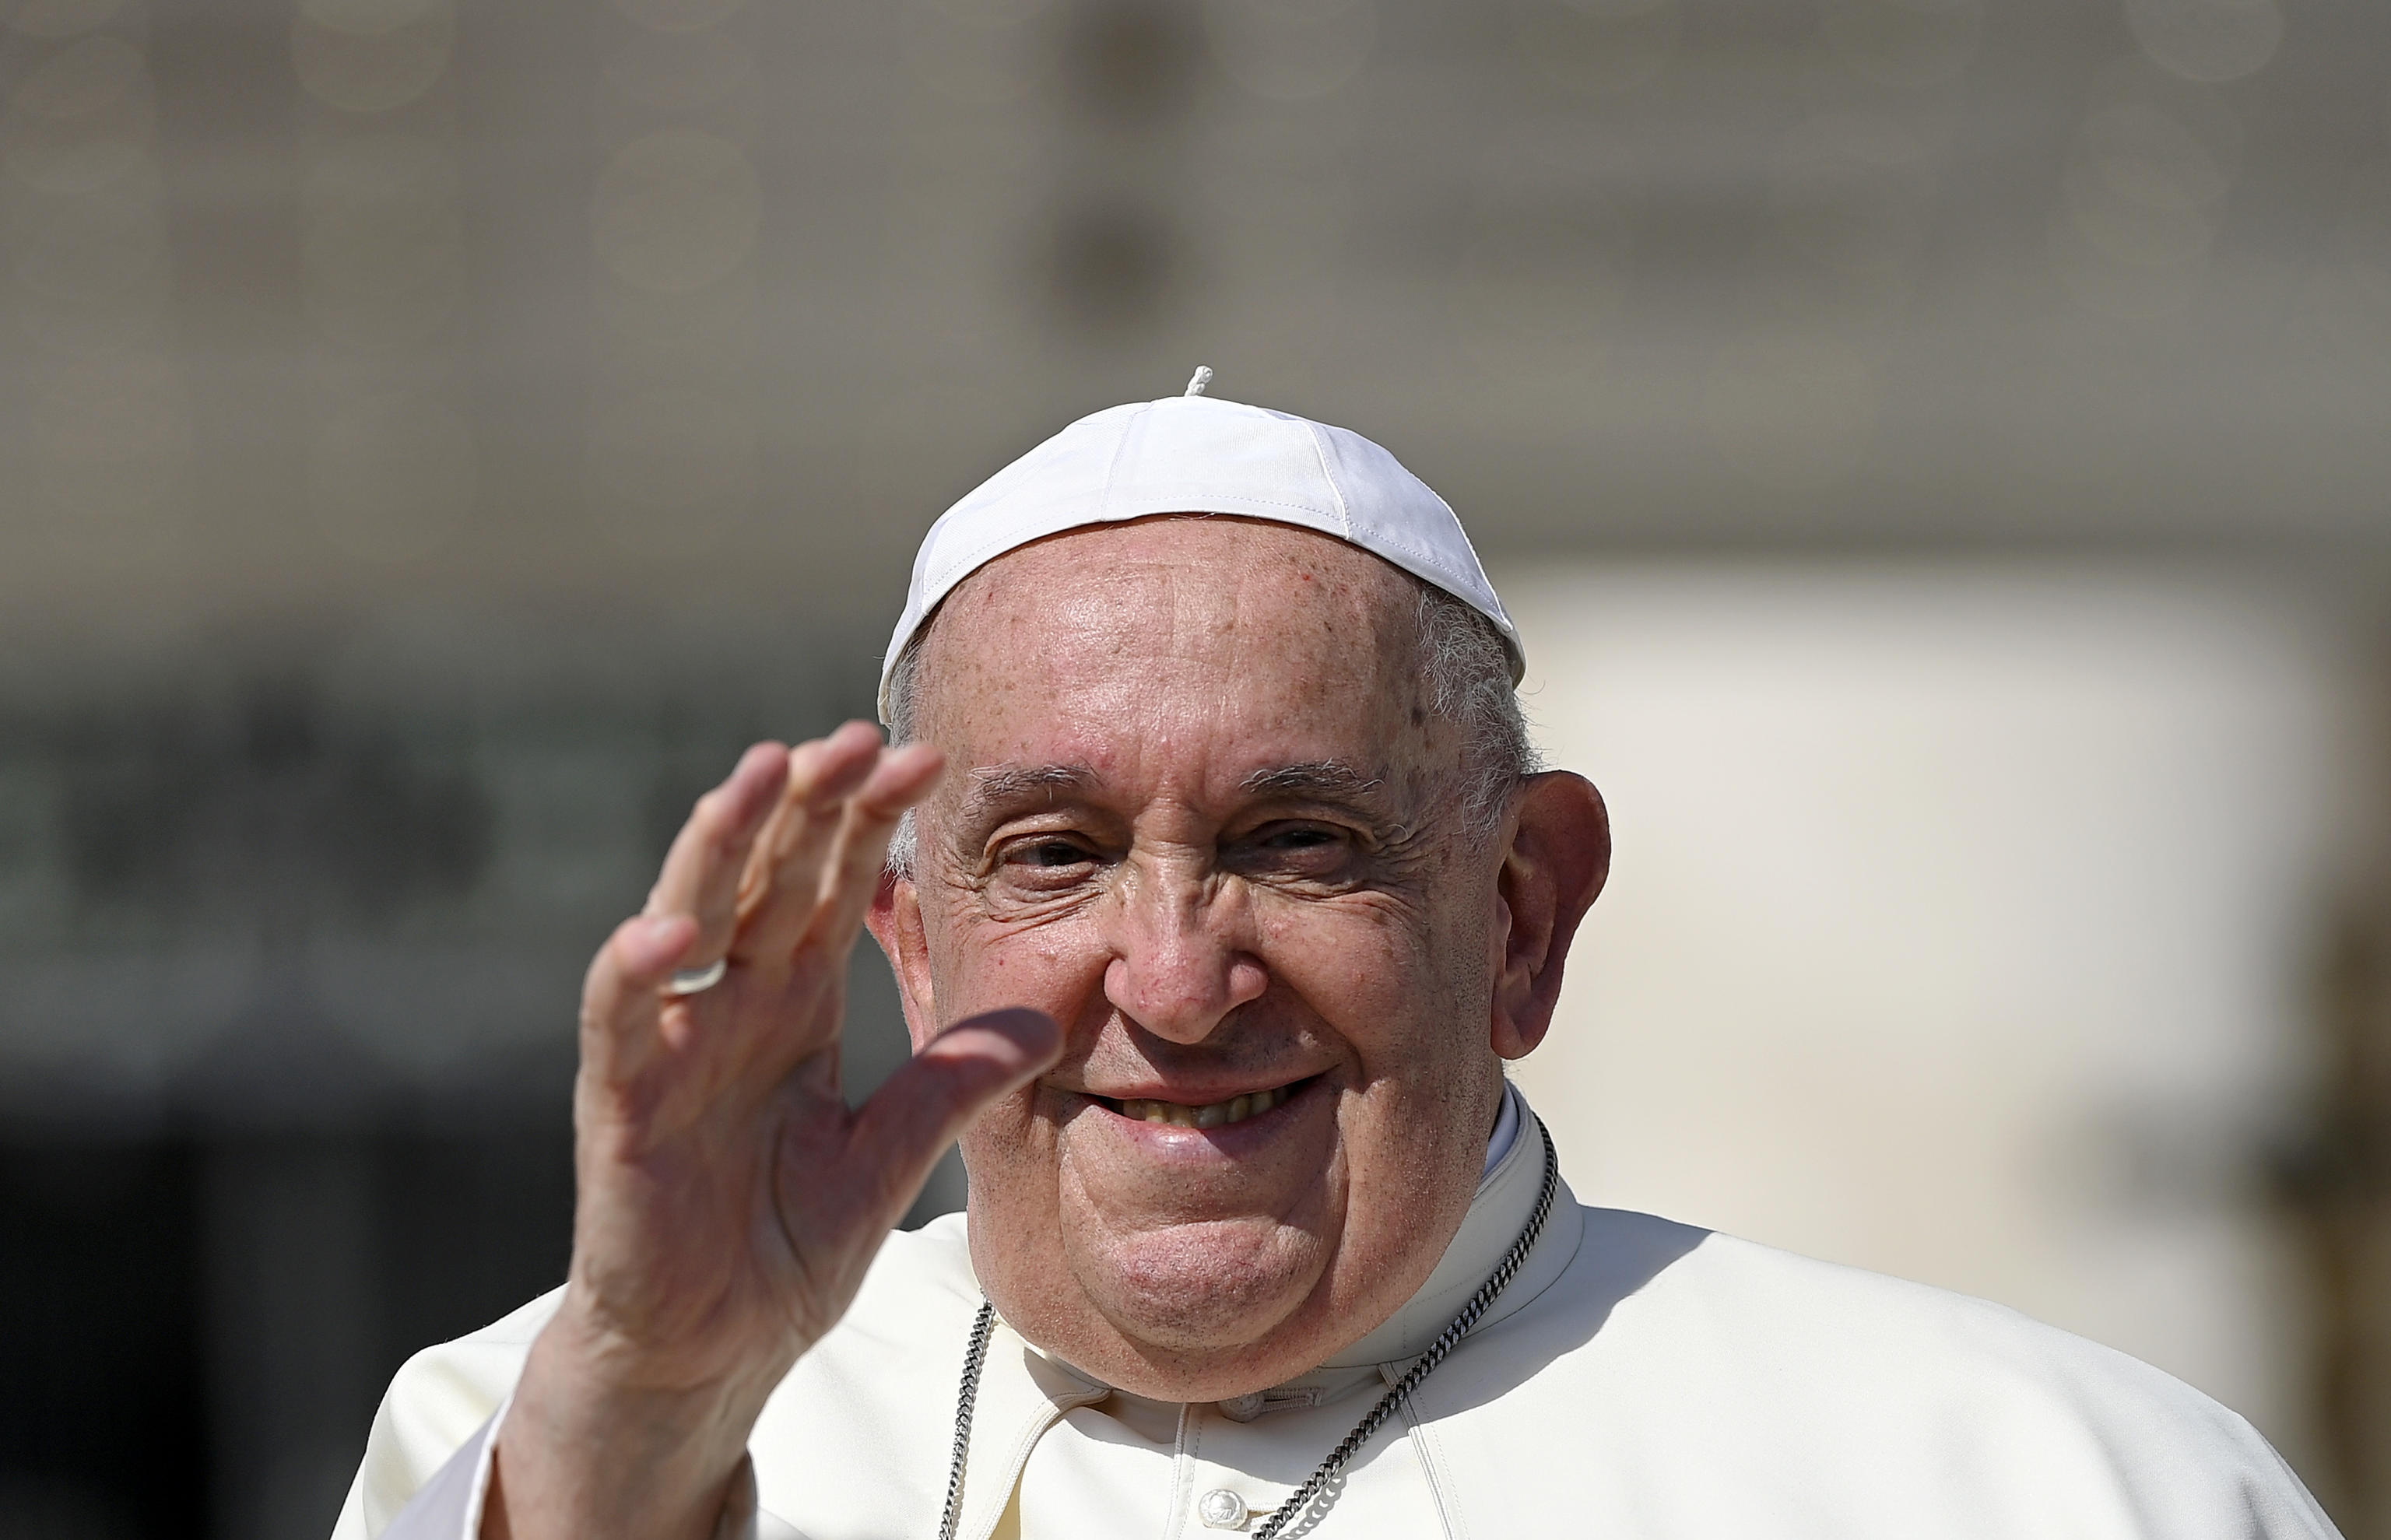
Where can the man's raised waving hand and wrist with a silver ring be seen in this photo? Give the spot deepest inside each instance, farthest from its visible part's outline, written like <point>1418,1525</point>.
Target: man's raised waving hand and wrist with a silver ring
<point>728,1197</point>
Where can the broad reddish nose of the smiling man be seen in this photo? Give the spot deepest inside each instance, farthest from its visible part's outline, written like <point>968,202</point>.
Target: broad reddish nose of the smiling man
<point>1180,955</point>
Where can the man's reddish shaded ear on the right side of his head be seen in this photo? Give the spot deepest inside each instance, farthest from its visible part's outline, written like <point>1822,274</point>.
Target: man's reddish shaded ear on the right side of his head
<point>1551,876</point>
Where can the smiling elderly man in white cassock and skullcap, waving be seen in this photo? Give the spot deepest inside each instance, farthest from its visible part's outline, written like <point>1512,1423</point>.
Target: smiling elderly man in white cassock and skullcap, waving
<point>1223,886</point>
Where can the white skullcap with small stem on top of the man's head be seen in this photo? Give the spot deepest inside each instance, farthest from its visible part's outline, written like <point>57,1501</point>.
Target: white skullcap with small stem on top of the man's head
<point>1199,456</point>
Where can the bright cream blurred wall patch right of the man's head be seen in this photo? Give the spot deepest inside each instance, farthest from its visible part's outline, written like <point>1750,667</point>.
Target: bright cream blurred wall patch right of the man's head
<point>1962,927</point>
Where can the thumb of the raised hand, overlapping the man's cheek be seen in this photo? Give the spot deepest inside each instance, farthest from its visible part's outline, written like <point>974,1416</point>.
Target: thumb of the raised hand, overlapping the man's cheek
<point>936,1094</point>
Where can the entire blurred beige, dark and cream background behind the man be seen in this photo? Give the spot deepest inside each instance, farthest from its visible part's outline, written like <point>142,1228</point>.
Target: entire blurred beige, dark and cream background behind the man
<point>1936,453</point>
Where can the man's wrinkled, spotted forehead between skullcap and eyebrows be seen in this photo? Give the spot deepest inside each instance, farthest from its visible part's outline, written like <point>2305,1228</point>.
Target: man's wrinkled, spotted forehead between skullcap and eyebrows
<point>1187,635</point>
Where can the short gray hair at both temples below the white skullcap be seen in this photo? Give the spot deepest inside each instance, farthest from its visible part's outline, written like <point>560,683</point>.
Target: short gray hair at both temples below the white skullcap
<point>1469,683</point>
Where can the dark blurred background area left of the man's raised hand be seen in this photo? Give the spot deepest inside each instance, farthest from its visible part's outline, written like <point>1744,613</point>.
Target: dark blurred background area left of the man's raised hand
<point>291,1039</point>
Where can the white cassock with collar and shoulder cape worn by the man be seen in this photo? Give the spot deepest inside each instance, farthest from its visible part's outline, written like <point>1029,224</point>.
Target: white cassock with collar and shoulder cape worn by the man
<point>1639,1381</point>
